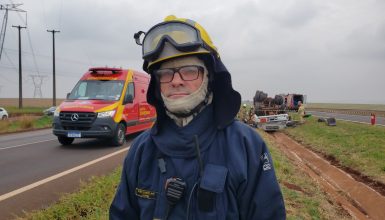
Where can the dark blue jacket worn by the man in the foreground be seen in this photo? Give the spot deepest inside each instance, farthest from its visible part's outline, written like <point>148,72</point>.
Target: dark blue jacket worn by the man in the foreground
<point>237,179</point>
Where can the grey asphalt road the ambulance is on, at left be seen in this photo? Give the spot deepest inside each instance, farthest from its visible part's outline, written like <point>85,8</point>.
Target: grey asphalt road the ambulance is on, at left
<point>35,169</point>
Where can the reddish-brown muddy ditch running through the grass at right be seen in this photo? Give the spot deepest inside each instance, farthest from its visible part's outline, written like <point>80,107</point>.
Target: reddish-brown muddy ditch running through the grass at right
<point>361,201</point>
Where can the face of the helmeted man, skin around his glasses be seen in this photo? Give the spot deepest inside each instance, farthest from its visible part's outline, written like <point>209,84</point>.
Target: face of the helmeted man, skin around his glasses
<point>179,88</point>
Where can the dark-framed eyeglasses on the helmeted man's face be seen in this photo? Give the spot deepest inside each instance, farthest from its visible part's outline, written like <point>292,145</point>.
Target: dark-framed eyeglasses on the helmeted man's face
<point>187,73</point>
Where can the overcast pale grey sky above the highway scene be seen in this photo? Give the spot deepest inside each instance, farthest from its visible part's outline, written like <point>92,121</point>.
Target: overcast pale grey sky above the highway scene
<point>331,51</point>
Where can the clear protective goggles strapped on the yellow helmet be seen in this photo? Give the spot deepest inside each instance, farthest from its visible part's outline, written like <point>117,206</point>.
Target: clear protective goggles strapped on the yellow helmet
<point>184,37</point>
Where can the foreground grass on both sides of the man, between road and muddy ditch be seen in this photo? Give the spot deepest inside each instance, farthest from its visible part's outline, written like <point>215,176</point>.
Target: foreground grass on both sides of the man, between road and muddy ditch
<point>303,198</point>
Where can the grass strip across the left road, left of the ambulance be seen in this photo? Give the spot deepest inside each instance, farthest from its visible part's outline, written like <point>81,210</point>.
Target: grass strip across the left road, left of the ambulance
<point>25,123</point>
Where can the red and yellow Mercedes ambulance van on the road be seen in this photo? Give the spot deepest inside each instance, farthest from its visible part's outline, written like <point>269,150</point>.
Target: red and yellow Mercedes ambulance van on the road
<point>106,103</point>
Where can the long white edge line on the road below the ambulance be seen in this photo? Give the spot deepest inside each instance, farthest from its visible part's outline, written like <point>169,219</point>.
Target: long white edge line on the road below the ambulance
<point>51,178</point>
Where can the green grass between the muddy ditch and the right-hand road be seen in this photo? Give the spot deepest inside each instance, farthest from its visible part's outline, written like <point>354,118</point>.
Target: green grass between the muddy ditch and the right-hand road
<point>360,147</point>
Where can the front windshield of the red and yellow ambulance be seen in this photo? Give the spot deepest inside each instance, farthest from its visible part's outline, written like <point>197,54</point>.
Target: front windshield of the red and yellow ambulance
<point>110,90</point>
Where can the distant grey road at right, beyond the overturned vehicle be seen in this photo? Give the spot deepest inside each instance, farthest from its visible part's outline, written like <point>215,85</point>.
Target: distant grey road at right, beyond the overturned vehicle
<point>380,121</point>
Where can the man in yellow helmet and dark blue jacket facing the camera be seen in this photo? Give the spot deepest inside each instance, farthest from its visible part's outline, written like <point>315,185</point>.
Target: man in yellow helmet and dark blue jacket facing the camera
<point>196,162</point>
